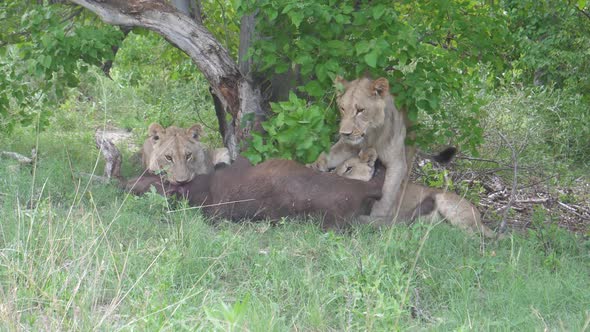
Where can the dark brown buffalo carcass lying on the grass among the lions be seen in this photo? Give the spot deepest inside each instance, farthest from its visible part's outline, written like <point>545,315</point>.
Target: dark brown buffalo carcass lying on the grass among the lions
<point>271,190</point>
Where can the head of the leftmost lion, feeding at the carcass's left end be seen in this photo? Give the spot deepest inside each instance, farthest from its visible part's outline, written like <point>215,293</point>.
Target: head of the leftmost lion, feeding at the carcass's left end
<point>176,152</point>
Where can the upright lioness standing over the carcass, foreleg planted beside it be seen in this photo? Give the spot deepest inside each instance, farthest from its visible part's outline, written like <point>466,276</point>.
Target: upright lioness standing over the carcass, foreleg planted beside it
<point>369,119</point>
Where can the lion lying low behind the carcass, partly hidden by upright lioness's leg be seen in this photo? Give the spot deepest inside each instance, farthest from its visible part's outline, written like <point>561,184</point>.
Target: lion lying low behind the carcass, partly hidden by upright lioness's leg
<point>419,201</point>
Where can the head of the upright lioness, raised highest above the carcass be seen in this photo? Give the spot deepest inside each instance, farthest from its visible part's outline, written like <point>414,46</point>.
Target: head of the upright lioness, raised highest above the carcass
<point>362,106</point>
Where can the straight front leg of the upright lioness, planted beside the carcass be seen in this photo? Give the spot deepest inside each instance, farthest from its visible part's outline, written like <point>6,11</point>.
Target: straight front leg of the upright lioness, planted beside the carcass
<point>394,176</point>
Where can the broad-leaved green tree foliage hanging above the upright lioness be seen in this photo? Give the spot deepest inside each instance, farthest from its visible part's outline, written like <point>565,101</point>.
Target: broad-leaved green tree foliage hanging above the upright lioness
<point>425,49</point>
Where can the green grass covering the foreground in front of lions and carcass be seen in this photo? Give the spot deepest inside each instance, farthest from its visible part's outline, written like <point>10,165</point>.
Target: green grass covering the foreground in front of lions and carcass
<point>79,256</point>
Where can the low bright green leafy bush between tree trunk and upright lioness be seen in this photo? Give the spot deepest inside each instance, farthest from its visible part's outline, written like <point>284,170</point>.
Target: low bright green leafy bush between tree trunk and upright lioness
<point>296,131</point>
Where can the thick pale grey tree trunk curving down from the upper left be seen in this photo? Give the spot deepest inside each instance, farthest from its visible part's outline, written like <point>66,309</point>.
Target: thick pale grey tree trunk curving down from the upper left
<point>236,93</point>
